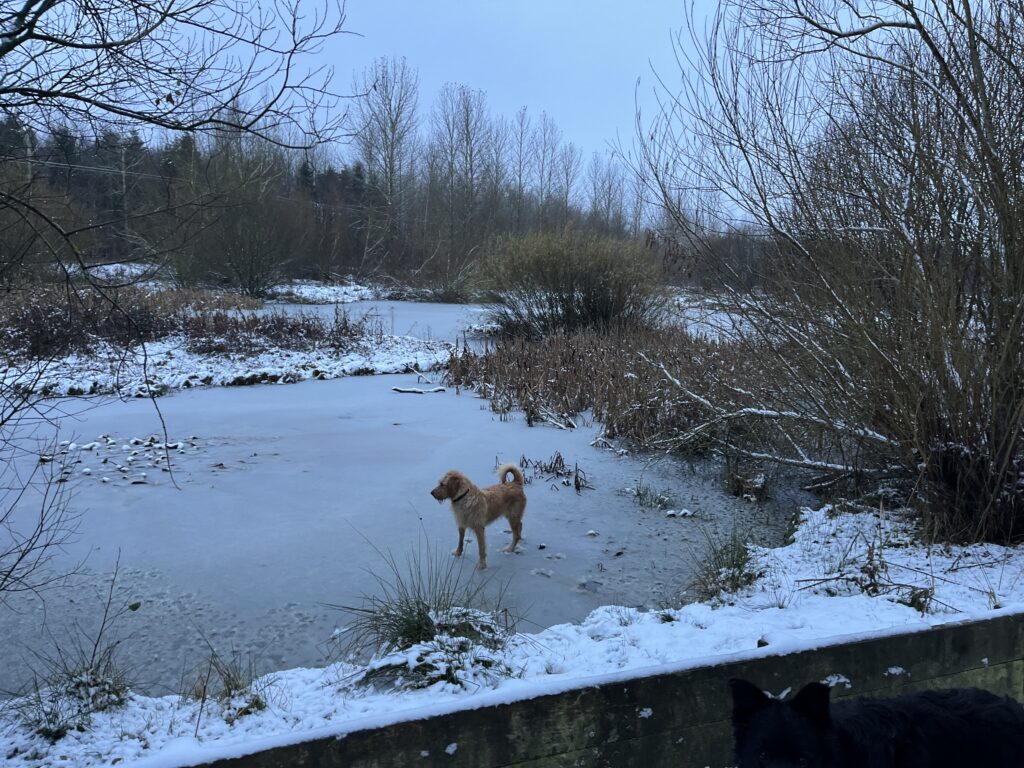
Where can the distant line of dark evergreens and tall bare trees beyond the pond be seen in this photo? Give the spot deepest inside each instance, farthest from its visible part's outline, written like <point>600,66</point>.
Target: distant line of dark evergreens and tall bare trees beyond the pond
<point>418,196</point>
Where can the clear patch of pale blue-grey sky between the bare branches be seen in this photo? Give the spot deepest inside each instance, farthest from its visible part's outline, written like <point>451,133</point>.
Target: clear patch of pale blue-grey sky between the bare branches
<point>577,60</point>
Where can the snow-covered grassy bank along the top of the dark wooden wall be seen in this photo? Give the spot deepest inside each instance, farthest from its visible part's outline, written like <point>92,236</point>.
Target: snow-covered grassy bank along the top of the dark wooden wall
<point>848,571</point>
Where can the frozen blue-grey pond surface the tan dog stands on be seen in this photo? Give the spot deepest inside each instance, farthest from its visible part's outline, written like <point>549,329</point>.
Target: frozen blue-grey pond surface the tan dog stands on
<point>284,498</point>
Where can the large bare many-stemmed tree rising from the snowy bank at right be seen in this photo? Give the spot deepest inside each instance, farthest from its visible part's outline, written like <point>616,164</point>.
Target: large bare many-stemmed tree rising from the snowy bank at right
<point>875,148</point>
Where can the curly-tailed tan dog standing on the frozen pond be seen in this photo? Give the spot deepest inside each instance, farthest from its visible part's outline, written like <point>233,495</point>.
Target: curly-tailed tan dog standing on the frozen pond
<point>476,508</point>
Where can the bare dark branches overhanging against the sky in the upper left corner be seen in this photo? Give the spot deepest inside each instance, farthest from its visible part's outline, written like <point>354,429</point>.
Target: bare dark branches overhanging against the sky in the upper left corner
<point>176,66</point>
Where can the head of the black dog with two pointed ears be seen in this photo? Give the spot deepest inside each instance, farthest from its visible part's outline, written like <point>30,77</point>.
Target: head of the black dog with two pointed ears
<point>771,734</point>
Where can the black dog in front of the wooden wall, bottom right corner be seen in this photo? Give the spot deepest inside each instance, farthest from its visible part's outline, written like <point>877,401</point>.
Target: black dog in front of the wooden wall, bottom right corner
<point>955,729</point>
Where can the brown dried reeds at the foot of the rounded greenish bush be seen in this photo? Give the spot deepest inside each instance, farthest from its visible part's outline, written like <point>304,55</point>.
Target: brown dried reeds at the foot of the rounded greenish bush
<point>612,374</point>
